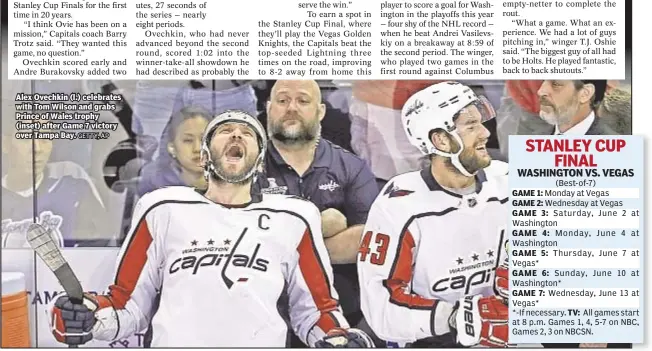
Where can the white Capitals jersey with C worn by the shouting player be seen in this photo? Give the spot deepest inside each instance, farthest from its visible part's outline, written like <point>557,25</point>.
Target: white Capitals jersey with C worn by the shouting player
<point>221,272</point>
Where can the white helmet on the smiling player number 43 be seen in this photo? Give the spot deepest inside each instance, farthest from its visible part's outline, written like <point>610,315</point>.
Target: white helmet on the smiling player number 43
<point>436,108</point>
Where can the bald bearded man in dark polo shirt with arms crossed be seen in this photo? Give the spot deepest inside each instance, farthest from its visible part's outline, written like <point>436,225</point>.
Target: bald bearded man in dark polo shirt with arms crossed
<point>299,162</point>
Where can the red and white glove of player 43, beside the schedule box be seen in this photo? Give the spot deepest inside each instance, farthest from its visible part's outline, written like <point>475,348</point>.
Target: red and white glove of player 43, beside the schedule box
<point>481,321</point>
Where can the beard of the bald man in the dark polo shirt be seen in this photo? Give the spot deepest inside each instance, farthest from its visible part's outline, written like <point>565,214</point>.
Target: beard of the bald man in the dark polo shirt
<point>302,132</point>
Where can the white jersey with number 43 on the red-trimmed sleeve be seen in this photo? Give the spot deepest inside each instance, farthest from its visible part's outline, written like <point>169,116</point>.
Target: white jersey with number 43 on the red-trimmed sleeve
<point>424,248</point>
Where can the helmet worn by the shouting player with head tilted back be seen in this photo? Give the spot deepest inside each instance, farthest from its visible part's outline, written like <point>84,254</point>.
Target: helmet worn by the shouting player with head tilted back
<point>233,116</point>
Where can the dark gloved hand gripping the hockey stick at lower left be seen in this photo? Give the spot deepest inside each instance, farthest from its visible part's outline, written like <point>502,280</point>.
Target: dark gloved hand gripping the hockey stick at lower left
<point>72,323</point>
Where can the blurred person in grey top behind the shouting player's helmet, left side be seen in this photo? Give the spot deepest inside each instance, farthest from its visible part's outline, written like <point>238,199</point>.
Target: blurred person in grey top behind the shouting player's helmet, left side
<point>179,162</point>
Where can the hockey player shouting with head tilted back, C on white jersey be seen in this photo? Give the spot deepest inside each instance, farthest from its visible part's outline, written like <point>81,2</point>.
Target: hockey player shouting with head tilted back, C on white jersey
<point>221,261</point>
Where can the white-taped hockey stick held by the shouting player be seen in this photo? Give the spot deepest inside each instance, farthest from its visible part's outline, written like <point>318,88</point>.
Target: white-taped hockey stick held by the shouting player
<point>40,239</point>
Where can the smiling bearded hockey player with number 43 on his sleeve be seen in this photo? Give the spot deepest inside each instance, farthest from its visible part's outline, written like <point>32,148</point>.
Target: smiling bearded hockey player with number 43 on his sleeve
<point>434,237</point>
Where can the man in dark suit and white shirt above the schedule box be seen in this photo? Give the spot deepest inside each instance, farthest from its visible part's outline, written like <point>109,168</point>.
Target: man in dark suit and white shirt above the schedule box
<point>569,106</point>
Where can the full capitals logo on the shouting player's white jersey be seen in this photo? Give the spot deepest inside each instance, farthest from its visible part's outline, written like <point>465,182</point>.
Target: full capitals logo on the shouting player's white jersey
<point>219,255</point>
